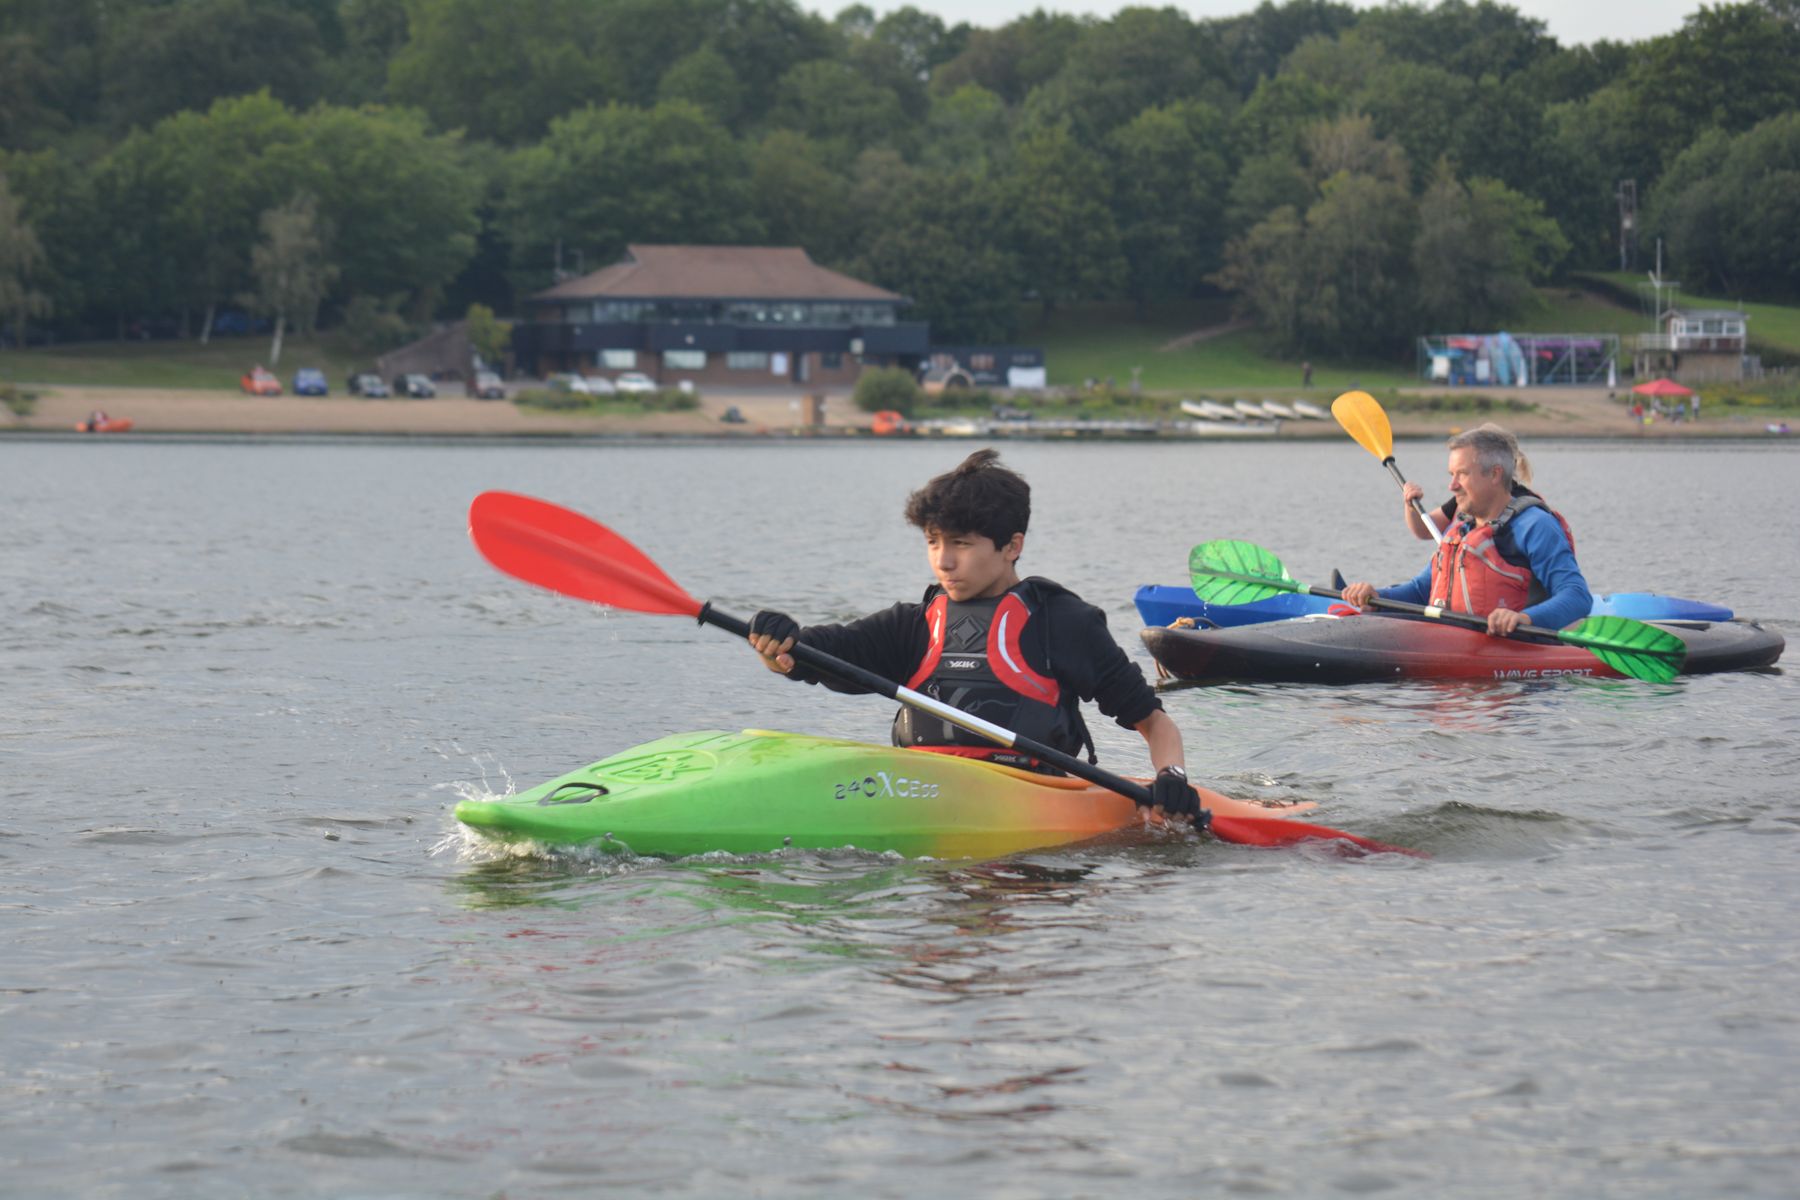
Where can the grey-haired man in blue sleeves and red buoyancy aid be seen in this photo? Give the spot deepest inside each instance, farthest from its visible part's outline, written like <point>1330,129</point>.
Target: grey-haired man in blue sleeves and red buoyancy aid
<point>1507,557</point>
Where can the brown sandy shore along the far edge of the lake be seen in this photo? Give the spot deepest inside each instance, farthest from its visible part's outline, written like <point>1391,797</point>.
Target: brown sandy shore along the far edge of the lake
<point>1563,413</point>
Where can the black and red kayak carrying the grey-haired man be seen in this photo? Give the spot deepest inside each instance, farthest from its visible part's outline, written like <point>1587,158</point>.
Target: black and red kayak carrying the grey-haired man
<point>1378,647</point>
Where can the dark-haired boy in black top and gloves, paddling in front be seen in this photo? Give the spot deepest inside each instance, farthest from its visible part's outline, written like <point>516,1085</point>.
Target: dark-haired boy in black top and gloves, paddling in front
<point>1021,654</point>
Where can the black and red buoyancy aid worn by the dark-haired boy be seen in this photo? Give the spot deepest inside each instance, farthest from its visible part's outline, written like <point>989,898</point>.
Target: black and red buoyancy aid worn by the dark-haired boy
<point>976,661</point>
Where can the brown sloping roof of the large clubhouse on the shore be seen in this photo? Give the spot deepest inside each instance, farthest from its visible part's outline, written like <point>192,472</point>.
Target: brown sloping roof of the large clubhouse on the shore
<point>715,274</point>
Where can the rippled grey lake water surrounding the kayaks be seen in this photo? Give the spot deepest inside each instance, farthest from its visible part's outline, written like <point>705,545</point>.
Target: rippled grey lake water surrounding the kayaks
<point>249,954</point>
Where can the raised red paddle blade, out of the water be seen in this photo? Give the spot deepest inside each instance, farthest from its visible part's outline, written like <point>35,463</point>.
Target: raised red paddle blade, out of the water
<point>573,555</point>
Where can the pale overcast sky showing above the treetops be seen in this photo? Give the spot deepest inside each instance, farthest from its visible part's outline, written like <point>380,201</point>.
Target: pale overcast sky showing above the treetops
<point>1570,22</point>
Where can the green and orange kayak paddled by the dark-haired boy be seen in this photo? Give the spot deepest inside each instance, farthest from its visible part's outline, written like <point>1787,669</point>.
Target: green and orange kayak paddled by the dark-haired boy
<point>759,791</point>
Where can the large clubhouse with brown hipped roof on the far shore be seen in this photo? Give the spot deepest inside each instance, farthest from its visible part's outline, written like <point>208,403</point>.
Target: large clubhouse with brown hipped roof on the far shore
<point>719,316</point>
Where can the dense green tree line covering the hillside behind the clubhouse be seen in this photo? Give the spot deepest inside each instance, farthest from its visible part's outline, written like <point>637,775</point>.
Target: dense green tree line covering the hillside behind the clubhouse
<point>1347,177</point>
